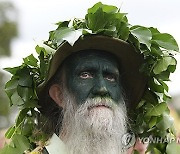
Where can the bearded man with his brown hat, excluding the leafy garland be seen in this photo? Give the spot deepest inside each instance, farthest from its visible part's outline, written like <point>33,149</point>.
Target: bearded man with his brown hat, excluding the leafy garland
<point>85,87</point>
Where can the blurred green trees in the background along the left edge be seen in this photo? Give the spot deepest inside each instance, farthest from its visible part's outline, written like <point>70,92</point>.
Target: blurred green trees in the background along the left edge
<point>8,30</point>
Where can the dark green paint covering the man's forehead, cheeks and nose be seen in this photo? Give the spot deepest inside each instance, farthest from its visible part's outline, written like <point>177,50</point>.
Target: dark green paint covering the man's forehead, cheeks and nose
<point>92,74</point>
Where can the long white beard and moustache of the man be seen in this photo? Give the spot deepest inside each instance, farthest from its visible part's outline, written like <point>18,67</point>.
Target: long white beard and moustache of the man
<point>96,130</point>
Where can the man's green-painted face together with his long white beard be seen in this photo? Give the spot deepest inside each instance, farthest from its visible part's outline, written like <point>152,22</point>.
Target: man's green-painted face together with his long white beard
<point>94,110</point>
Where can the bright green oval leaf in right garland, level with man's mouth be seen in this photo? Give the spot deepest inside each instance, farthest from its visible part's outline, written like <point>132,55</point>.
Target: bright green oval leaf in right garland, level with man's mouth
<point>156,110</point>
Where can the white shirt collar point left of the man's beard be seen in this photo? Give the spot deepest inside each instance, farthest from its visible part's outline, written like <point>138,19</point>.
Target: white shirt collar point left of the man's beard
<point>56,146</point>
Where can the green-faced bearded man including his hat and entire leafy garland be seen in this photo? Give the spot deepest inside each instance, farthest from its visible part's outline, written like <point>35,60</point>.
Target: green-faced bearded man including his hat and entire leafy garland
<point>106,78</point>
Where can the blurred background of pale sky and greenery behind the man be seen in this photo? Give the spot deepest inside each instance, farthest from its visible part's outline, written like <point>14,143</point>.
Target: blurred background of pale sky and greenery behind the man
<point>26,23</point>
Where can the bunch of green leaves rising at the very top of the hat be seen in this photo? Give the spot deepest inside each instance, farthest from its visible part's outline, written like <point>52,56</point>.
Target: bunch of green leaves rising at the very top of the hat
<point>101,17</point>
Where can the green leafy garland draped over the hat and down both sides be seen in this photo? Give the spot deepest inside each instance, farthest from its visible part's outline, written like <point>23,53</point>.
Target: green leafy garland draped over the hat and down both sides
<point>158,50</point>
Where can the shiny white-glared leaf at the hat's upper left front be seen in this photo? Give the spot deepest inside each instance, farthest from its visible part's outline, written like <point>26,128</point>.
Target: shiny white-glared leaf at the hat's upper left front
<point>67,34</point>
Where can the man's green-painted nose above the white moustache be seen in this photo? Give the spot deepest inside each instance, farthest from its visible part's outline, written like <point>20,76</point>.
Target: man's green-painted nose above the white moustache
<point>100,88</point>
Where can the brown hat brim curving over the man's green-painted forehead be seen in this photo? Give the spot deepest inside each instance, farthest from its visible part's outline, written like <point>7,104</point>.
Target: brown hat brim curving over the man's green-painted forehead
<point>133,81</point>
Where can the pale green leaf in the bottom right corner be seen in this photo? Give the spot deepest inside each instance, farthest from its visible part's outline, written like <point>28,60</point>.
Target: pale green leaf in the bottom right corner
<point>173,148</point>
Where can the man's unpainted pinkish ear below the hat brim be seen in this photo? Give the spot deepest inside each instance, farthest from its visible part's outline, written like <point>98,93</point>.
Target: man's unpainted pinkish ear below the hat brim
<point>55,93</point>
